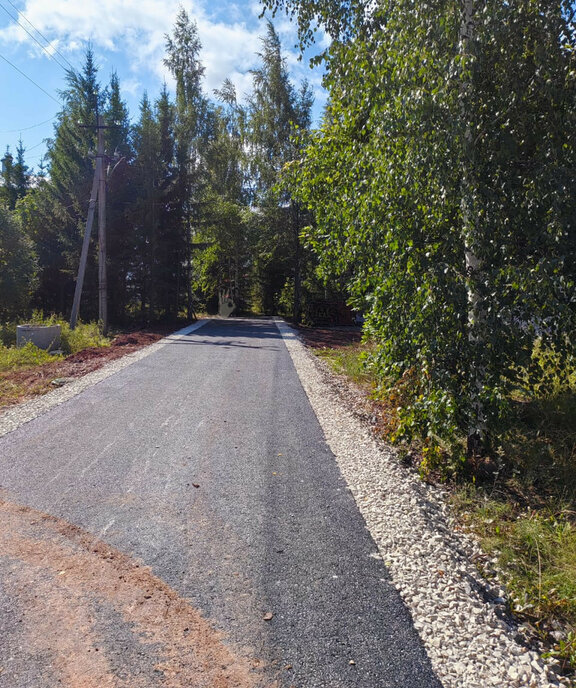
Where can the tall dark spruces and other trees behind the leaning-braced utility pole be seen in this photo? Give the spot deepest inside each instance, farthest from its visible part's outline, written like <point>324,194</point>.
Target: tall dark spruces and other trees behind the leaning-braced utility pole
<point>195,212</point>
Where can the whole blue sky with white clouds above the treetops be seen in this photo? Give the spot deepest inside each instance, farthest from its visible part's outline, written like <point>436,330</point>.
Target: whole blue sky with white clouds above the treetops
<point>127,36</point>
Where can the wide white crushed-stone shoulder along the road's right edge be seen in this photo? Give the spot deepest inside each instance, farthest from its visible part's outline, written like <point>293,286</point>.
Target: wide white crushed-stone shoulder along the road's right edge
<point>432,566</point>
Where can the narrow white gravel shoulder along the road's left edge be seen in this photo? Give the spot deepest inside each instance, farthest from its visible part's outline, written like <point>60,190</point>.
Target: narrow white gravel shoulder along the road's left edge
<point>15,416</point>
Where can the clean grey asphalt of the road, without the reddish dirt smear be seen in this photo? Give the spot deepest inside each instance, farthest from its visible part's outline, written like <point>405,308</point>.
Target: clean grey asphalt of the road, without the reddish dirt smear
<point>205,462</point>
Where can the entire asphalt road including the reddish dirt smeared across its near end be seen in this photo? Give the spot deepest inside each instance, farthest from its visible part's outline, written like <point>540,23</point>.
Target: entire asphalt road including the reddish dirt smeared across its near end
<point>183,523</point>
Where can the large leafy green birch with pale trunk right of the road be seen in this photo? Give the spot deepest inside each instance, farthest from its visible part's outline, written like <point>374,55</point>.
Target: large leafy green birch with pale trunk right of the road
<point>443,181</point>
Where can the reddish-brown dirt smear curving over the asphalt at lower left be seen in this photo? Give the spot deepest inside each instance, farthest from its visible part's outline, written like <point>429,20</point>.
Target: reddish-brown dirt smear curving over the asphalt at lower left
<point>67,581</point>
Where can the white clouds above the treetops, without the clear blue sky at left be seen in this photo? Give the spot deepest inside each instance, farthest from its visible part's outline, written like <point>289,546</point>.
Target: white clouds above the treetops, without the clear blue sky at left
<point>136,30</point>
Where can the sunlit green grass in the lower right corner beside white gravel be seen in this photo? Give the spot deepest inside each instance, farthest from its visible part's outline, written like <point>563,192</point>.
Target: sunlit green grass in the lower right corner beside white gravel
<point>536,552</point>
